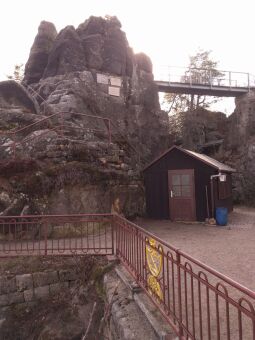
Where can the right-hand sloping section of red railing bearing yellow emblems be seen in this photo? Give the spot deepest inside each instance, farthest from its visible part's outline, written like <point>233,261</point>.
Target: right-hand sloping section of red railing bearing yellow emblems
<point>198,301</point>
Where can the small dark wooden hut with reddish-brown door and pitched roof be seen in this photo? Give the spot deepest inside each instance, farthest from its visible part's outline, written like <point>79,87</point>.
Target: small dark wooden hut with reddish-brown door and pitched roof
<point>185,185</point>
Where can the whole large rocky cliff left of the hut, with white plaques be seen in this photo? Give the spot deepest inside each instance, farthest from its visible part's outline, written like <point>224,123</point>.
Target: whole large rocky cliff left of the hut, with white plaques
<point>86,122</point>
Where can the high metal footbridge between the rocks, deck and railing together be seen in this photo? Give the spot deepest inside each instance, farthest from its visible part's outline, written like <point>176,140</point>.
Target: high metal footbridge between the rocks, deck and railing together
<point>203,81</point>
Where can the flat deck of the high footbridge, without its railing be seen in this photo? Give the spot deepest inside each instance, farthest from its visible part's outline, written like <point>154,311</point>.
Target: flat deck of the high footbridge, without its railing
<point>201,89</point>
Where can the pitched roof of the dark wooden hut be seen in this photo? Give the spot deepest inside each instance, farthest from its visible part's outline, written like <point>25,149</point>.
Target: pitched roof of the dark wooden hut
<point>203,158</point>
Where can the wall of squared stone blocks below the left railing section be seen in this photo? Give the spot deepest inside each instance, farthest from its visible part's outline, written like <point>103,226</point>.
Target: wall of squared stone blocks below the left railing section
<point>31,287</point>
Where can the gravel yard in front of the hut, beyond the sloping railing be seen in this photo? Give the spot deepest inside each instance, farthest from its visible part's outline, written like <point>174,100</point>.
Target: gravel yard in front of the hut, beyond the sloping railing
<point>229,249</point>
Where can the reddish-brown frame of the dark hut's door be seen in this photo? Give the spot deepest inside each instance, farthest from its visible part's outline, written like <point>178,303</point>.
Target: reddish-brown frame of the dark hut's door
<point>193,196</point>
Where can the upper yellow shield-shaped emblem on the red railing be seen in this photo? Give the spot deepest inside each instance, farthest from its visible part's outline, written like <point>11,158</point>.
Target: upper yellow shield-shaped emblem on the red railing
<point>154,257</point>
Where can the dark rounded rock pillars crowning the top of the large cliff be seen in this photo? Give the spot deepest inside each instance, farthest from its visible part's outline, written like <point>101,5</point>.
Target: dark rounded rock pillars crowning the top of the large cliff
<point>96,44</point>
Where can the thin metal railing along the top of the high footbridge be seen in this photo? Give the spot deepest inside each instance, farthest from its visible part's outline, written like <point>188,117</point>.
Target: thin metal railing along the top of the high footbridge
<point>195,76</point>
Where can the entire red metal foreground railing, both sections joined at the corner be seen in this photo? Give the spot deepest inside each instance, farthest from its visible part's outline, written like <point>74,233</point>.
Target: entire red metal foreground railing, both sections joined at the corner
<point>198,302</point>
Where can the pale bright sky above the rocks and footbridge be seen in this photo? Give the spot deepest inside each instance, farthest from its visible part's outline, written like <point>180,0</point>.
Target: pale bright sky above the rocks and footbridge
<point>169,31</point>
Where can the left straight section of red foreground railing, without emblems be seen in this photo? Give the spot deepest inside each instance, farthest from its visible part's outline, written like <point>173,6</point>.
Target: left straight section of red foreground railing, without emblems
<point>56,235</point>
